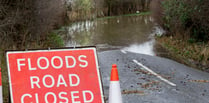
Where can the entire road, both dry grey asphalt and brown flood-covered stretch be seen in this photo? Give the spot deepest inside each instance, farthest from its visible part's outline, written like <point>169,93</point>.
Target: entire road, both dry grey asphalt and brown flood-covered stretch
<point>120,41</point>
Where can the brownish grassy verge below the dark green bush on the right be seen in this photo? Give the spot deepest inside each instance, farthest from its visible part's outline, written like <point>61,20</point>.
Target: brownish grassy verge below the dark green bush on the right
<point>190,53</point>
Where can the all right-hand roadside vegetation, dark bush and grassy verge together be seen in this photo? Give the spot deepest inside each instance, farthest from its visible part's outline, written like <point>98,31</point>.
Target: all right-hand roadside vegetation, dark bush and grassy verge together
<point>187,29</point>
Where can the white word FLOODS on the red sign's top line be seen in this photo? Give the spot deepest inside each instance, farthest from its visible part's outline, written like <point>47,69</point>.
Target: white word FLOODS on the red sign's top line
<point>81,60</point>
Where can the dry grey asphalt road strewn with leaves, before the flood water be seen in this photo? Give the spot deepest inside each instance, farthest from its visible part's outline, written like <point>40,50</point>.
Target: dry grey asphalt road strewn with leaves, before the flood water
<point>151,79</point>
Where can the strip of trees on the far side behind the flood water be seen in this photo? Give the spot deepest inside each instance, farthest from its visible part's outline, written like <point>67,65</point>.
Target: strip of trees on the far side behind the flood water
<point>81,9</point>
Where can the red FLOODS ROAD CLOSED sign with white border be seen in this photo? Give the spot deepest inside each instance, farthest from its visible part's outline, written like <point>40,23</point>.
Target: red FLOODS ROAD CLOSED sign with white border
<point>52,76</point>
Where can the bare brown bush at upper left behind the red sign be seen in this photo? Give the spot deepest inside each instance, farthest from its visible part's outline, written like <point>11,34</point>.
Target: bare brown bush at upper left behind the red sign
<point>26,23</point>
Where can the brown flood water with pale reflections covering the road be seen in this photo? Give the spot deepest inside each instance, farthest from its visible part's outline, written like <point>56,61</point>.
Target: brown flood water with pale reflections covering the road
<point>128,33</point>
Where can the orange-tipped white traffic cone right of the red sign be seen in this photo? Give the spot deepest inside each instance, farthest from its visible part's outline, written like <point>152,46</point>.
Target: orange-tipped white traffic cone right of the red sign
<point>114,91</point>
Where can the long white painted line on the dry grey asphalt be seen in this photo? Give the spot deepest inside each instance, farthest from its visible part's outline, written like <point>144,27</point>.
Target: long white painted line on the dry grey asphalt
<point>152,72</point>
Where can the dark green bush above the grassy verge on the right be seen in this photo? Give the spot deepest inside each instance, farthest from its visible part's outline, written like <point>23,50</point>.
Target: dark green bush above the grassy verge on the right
<point>185,18</point>
